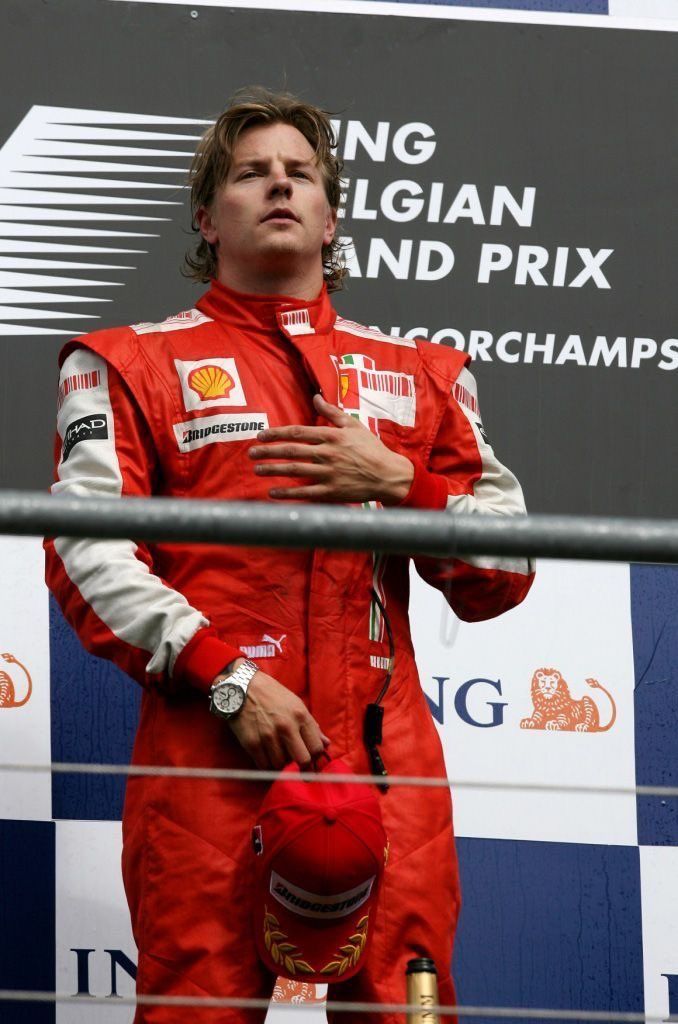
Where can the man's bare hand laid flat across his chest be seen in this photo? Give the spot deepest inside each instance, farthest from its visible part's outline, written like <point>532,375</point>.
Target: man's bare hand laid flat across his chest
<point>345,462</point>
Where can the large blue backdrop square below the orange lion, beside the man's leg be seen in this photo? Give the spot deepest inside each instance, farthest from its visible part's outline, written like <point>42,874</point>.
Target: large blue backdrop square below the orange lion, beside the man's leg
<point>549,925</point>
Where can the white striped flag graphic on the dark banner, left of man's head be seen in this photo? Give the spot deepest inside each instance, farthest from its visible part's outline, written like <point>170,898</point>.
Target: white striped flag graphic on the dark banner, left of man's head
<point>46,153</point>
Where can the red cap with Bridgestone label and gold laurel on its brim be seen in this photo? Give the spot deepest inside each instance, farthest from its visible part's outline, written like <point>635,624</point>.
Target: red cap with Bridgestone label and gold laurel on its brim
<point>321,855</point>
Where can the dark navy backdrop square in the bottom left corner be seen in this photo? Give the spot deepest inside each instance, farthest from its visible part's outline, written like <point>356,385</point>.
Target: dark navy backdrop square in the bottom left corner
<point>27,918</point>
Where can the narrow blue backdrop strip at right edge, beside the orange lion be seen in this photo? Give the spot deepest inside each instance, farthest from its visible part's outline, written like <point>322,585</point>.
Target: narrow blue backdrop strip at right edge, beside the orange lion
<point>655,617</point>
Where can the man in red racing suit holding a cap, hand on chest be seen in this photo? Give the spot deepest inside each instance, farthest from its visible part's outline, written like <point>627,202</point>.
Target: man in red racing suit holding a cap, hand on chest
<point>261,394</point>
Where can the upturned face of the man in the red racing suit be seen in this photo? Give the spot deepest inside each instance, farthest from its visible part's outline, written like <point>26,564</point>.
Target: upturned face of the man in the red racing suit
<point>272,215</point>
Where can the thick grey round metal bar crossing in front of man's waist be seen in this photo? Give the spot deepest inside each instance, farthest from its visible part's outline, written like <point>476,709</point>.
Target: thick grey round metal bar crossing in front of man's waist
<point>341,528</point>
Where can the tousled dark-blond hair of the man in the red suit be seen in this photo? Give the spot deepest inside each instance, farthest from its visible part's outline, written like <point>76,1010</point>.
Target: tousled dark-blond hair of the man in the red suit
<point>211,163</point>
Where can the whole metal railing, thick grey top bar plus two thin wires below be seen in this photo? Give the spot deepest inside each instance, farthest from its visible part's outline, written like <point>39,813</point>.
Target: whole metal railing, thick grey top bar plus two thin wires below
<point>338,528</point>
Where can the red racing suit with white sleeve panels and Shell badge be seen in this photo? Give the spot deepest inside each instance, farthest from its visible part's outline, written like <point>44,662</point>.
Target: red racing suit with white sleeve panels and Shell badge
<point>172,409</point>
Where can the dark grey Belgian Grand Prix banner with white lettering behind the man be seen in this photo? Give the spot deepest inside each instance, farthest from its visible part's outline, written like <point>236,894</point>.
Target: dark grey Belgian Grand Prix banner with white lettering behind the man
<point>511,190</point>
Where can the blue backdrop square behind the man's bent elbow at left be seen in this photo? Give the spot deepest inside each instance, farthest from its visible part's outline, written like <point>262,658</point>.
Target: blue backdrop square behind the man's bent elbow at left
<point>95,710</point>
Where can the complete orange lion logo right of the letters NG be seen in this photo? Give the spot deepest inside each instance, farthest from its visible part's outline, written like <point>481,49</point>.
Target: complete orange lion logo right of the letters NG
<point>557,710</point>
